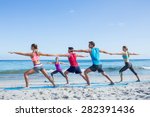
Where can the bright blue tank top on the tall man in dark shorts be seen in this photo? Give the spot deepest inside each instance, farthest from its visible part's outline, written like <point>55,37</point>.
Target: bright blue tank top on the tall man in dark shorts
<point>95,56</point>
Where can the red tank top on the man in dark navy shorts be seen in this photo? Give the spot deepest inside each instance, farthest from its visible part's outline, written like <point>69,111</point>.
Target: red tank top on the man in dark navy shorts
<point>73,60</point>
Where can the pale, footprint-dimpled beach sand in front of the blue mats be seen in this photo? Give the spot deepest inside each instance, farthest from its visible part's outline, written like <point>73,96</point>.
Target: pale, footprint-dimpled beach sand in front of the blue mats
<point>131,91</point>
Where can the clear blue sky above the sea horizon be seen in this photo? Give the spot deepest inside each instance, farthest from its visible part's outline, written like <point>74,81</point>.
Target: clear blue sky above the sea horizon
<point>57,24</point>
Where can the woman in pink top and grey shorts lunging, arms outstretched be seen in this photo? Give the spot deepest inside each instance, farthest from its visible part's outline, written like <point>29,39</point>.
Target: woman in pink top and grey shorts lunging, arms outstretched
<point>35,55</point>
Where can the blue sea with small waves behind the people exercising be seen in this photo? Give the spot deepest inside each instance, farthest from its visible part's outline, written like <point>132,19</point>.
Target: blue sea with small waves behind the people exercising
<point>14,69</point>
